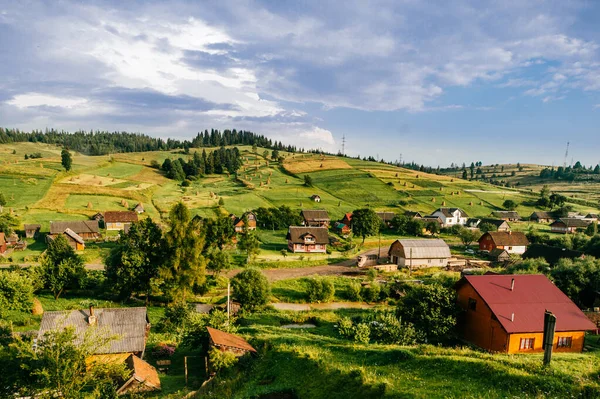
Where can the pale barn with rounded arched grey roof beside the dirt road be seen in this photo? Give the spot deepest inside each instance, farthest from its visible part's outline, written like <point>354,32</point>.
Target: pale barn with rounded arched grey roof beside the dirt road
<point>419,253</point>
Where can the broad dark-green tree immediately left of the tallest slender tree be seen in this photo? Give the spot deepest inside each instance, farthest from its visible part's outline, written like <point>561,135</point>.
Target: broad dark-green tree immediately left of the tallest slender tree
<point>135,261</point>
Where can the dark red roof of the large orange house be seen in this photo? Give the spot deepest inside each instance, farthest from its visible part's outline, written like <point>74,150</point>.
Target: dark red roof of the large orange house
<point>532,295</point>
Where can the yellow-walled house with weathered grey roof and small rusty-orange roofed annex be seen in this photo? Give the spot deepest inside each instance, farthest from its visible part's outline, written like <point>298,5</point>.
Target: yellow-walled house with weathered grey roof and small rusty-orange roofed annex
<point>128,326</point>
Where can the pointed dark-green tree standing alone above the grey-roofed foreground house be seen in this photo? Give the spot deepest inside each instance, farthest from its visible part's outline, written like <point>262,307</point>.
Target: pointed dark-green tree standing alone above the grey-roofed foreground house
<point>61,267</point>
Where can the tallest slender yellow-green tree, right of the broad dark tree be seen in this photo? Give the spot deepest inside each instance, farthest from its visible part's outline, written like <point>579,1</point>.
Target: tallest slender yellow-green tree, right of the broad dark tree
<point>185,265</point>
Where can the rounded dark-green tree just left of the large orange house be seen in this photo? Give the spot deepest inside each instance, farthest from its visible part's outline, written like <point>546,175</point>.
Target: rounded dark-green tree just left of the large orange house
<point>431,309</point>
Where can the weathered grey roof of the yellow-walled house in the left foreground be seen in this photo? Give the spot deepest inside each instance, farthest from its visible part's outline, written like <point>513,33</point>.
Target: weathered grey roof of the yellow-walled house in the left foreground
<point>129,324</point>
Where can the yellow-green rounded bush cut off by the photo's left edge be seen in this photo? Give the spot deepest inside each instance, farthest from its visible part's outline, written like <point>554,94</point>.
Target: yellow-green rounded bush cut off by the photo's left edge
<point>16,291</point>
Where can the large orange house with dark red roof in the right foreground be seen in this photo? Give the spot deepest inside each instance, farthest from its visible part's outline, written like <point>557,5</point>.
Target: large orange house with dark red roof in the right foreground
<point>505,313</point>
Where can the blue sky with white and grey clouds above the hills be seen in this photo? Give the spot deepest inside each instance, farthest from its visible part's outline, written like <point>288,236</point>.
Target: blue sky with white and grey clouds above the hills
<point>434,82</point>
